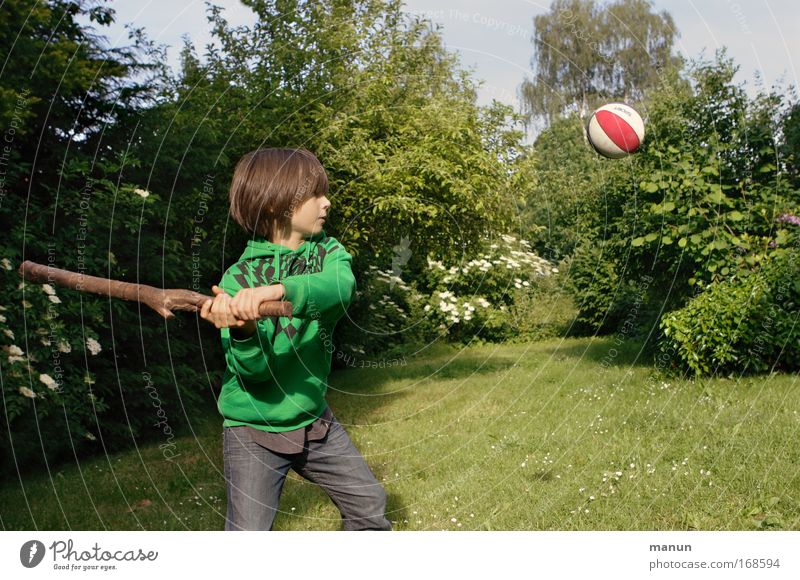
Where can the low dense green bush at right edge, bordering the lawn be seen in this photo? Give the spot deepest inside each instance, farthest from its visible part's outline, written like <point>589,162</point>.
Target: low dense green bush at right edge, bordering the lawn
<point>743,325</point>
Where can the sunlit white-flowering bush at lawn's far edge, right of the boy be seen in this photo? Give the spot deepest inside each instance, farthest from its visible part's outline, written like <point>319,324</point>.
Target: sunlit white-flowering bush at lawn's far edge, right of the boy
<point>494,296</point>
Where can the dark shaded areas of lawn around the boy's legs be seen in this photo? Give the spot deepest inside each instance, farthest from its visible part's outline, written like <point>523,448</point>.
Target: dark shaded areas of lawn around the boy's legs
<point>111,499</point>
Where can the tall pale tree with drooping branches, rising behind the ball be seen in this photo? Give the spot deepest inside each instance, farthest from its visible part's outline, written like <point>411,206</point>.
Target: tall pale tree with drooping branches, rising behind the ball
<point>586,53</point>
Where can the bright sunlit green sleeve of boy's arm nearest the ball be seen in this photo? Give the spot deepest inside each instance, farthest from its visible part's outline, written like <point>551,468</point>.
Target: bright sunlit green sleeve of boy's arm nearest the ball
<point>326,294</point>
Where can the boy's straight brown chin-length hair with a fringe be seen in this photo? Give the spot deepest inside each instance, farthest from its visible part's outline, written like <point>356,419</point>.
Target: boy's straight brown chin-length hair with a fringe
<point>268,184</point>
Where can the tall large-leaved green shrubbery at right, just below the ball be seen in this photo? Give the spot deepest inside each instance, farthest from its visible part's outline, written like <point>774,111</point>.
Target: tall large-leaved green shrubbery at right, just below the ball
<point>696,206</point>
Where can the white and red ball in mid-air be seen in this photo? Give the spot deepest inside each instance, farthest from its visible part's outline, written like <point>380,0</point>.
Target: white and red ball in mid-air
<point>615,130</point>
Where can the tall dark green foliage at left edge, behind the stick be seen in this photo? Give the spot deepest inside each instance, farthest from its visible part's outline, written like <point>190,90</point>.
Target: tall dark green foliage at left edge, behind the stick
<point>72,369</point>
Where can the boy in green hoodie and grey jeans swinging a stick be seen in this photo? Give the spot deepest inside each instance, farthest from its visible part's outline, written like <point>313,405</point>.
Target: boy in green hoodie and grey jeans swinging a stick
<point>273,391</point>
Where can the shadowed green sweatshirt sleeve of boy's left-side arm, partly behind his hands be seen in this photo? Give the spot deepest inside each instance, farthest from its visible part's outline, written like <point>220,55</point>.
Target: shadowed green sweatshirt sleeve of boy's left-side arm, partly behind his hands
<point>248,359</point>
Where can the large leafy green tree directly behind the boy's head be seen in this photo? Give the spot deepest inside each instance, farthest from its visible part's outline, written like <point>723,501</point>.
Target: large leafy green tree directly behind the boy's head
<point>373,93</point>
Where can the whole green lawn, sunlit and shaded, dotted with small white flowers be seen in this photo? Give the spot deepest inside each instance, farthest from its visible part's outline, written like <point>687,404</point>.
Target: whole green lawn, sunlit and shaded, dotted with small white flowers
<point>538,436</point>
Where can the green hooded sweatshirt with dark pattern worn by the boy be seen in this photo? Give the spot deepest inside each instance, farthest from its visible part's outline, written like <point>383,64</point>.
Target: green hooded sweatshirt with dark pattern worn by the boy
<point>276,379</point>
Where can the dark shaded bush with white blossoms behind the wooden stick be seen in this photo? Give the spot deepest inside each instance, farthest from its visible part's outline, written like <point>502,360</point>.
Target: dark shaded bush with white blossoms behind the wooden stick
<point>73,362</point>
